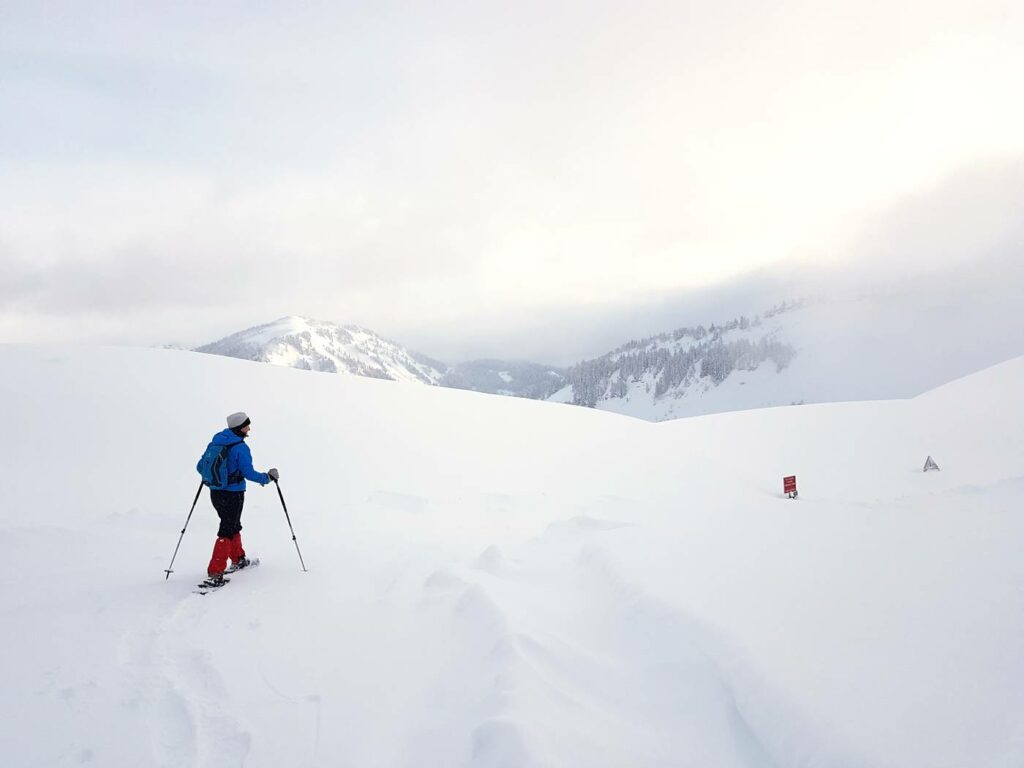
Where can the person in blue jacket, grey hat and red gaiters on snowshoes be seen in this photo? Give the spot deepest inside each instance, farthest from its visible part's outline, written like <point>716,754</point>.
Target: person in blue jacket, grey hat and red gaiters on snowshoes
<point>230,499</point>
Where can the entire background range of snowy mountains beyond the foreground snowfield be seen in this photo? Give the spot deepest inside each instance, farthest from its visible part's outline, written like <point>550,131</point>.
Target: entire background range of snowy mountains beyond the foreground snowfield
<point>873,343</point>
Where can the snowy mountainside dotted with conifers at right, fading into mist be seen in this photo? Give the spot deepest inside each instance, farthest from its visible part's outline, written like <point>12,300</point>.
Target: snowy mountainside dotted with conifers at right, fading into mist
<point>876,347</point>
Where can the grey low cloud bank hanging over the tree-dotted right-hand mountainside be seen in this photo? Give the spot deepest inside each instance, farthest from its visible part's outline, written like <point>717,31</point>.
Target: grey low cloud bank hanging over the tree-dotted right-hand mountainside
<point>960,245</point>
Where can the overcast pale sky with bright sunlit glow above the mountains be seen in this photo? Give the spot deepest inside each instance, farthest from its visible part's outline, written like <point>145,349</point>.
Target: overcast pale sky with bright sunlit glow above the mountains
<point>539,180</point>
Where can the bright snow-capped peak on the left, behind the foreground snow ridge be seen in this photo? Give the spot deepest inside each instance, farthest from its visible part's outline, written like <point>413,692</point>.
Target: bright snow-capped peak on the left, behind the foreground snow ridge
<point>316,346</point>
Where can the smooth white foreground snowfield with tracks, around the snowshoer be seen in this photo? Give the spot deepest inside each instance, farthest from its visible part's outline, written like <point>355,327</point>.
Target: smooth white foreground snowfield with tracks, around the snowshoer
<point>505,582</point>
